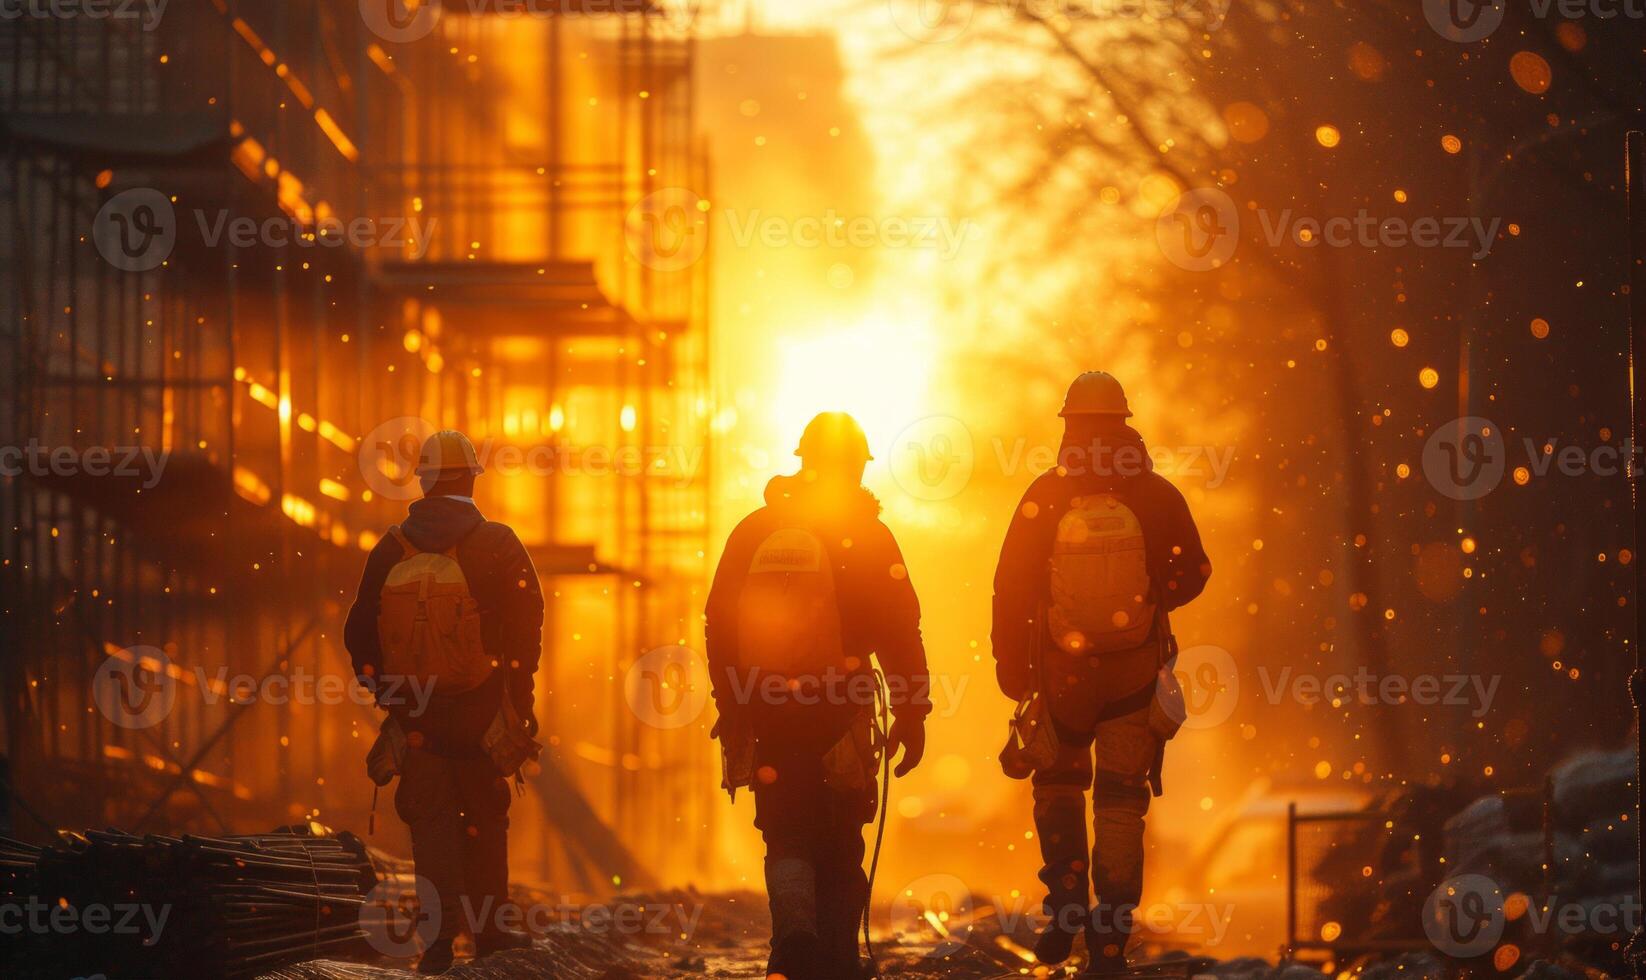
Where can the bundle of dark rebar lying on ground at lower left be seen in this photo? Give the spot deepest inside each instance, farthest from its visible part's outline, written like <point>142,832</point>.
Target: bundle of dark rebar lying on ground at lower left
<point>182,907</point>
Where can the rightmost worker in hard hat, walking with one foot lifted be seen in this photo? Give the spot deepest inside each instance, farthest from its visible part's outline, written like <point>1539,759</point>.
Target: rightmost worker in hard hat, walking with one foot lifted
<point>1097,554</point>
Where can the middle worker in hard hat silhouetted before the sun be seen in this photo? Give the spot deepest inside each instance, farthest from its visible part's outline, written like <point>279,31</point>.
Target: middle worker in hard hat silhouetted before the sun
<point>809,587</point>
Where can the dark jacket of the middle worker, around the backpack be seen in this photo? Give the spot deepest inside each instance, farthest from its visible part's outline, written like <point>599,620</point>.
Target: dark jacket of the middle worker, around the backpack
<point>878,607</point>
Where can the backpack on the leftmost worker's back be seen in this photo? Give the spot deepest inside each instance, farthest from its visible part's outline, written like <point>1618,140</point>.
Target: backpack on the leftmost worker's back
<point>429,623</point>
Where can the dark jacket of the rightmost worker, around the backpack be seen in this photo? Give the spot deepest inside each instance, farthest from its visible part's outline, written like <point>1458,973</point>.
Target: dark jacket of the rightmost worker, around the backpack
<point>1178,564</point>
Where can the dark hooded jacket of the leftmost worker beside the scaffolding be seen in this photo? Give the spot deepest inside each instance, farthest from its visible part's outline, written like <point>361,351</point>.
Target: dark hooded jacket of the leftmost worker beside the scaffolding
<point>504,586</point>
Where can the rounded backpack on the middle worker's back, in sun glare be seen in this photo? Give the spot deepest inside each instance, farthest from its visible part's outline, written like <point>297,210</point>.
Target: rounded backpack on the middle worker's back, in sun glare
<point>788,615</point>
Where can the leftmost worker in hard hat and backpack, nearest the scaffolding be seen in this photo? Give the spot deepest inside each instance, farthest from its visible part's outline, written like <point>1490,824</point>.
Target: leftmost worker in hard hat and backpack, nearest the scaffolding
<point>447,632</point>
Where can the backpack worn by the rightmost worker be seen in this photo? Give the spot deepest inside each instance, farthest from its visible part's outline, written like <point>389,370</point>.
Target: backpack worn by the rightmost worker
<point>1102,599</point>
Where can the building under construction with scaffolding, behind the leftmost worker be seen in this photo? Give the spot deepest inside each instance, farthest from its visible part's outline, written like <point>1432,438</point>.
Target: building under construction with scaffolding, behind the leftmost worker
<point>259,250</point>
